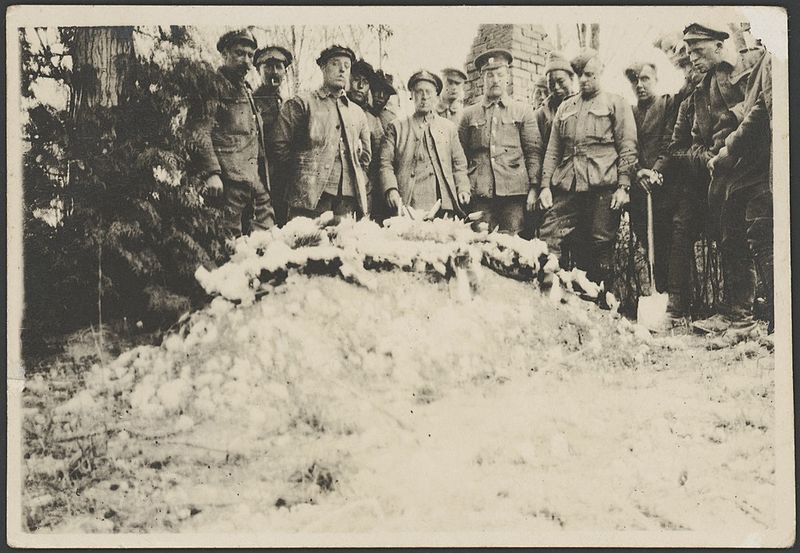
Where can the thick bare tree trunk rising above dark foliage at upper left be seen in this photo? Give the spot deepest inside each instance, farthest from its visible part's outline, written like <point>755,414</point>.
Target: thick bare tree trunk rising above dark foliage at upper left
<point>101,58</point>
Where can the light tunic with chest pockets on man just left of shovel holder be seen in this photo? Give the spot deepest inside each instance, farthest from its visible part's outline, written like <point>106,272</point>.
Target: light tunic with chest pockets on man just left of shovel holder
<point>592,143</point>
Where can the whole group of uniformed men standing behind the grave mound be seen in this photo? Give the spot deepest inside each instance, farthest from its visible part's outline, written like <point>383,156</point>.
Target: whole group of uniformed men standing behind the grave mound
<point>562,168</point>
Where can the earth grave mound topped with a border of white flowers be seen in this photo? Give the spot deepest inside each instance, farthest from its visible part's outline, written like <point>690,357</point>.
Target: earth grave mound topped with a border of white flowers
<point>414,311</point>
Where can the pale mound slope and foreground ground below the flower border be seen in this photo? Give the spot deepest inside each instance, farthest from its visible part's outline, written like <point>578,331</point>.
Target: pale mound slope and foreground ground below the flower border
<point>410,406</point>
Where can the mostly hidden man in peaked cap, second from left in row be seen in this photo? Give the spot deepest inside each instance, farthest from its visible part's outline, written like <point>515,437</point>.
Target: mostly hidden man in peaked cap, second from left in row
<point>272,63</point>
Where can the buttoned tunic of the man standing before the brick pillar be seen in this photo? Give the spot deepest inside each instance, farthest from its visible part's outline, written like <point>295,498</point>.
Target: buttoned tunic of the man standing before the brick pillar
<point>500,144</point>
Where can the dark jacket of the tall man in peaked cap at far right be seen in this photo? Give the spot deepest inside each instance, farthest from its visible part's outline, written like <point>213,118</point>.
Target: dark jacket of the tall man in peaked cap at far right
<point>713,123</point>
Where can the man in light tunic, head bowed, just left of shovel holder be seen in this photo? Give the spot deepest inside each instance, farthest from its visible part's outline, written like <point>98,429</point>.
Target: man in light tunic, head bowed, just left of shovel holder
<point>588,168</point>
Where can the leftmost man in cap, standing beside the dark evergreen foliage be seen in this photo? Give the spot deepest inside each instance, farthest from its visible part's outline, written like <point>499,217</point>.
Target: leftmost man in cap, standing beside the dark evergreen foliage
<point>232,151</point>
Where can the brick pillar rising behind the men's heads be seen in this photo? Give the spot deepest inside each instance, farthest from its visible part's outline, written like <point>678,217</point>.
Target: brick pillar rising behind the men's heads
<point>527,43</point>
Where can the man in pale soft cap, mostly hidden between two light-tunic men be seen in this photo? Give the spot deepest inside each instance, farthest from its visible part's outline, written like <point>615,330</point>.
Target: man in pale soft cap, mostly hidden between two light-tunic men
<point>559,75</point>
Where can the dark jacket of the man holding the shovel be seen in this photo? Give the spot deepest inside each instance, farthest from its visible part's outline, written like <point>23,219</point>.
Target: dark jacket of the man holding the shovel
<point>654,130</point>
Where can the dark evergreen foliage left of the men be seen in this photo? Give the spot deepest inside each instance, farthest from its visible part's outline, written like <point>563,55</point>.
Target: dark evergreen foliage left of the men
<point>121,185</point>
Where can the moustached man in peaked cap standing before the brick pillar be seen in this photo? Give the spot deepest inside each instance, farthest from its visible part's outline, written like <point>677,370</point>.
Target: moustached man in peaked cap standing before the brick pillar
<point>499,136</point>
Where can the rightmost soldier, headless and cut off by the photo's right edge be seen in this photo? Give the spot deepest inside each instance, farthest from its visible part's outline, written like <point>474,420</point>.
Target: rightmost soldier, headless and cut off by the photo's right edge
<point>744,170</point>
